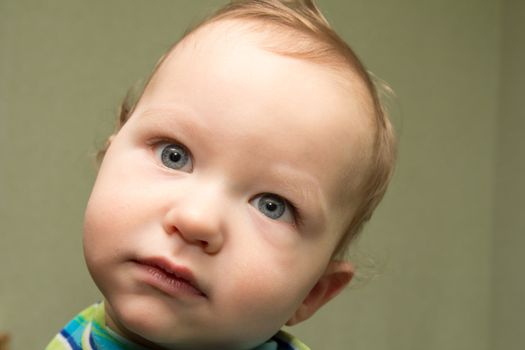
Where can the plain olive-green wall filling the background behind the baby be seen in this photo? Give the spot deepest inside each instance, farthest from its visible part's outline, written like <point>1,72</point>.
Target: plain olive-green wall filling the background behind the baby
<point>441,263</point>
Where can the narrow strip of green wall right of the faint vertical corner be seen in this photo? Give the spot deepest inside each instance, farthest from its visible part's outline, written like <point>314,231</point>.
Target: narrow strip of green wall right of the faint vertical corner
<point>509,224</point>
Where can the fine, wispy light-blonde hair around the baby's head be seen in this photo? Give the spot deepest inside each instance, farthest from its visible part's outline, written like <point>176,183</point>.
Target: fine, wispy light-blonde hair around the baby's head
<point>299,29</point>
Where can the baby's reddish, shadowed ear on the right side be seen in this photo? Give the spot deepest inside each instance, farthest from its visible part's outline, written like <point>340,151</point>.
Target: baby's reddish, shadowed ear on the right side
<point>336,277</point>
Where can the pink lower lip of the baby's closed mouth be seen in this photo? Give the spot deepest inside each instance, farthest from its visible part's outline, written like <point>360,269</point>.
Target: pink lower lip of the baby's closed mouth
<point>167,283</point>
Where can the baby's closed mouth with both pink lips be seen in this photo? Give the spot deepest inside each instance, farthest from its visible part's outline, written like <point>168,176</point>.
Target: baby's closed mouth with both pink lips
<point>170,278</point>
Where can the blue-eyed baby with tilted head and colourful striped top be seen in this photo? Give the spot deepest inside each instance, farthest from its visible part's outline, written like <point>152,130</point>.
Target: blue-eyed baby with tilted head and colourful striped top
<point>226,199</point>
